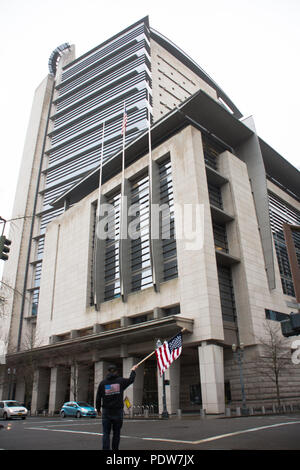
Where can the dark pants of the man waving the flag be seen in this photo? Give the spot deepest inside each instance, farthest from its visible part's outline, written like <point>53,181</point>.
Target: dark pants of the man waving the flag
<point>111,419</point>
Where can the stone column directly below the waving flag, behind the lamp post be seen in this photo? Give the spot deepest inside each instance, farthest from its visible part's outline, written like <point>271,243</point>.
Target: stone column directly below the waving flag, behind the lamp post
<point>172,374</point>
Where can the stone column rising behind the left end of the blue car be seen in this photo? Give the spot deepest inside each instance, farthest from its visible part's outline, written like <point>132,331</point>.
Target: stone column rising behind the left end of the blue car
<point>59,381</point>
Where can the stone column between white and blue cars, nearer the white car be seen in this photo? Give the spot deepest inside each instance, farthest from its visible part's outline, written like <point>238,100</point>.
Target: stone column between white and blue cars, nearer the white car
<point>40,390</point>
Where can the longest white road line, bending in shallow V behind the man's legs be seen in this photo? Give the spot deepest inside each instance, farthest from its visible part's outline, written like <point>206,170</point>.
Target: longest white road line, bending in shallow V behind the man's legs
<point>160,439</point>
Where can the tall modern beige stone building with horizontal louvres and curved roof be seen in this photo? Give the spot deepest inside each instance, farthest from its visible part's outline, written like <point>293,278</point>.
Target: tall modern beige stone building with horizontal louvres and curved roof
<point>178,223</point>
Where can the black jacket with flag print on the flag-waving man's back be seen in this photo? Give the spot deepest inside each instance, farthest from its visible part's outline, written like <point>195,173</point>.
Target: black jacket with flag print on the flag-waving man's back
<point>110,391</point>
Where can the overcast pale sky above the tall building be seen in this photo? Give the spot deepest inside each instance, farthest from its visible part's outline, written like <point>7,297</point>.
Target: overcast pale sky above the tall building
<point>249,47</point>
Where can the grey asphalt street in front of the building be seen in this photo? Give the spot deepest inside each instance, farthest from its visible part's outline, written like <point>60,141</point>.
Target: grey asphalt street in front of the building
<point>277,432</point>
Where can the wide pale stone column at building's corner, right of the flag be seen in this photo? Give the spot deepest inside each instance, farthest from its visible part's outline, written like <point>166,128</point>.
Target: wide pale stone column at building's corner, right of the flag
<point>212,377</point>
